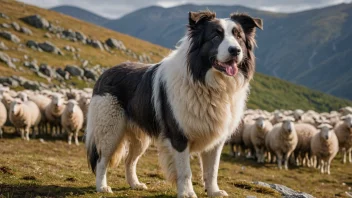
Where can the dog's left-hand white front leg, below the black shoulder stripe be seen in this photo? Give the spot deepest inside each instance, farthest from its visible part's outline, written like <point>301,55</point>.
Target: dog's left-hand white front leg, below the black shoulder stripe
<point>184,174</point>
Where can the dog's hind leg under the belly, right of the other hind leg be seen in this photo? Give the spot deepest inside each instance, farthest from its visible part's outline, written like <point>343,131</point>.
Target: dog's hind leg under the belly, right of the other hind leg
<point>138,144</point>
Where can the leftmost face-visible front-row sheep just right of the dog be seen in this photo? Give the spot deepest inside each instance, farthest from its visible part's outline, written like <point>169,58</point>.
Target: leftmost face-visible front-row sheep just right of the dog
<point>257,132</point>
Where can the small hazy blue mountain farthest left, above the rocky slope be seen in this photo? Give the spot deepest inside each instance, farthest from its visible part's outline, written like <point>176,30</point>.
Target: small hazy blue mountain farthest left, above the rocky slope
<point>82,14</point>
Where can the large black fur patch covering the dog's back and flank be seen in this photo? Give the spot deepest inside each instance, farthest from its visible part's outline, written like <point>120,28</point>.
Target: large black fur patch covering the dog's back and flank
<point>132,86</point>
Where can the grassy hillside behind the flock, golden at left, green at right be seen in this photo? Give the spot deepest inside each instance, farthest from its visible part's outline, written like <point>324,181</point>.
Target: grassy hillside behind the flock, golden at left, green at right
<point>267,92</point>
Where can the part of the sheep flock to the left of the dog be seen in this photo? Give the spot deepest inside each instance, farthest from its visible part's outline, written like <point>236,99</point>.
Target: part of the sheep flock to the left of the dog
<point>27,110</point>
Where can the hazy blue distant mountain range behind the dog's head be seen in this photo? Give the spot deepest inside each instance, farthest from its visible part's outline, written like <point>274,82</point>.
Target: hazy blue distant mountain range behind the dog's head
<point>311,48</point>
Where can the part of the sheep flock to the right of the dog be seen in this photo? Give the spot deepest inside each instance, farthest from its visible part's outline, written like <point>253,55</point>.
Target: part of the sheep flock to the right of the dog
<point>304,138</point>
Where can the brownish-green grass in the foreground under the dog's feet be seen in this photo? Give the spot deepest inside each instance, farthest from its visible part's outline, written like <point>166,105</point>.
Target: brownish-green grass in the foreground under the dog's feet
<point>55,169</point>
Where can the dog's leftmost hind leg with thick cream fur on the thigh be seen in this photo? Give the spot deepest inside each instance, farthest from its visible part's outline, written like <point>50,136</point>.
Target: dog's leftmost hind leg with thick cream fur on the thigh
<point>105,137</point>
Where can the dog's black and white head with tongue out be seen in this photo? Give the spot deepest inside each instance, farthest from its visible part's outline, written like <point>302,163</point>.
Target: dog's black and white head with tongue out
<point>225,45</point>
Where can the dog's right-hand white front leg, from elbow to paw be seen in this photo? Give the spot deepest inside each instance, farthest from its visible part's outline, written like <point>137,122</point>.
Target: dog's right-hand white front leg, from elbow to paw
<point>211,160</point>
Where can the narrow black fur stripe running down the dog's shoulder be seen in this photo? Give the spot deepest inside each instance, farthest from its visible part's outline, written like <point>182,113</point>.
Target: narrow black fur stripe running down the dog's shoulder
<point>171,129</point>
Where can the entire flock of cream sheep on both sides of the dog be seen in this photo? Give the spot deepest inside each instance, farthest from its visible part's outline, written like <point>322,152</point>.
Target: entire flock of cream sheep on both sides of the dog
<point>305,138</point>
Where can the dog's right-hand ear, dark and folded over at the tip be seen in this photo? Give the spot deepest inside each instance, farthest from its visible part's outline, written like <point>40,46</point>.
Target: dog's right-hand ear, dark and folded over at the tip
<point>247,22</point>
